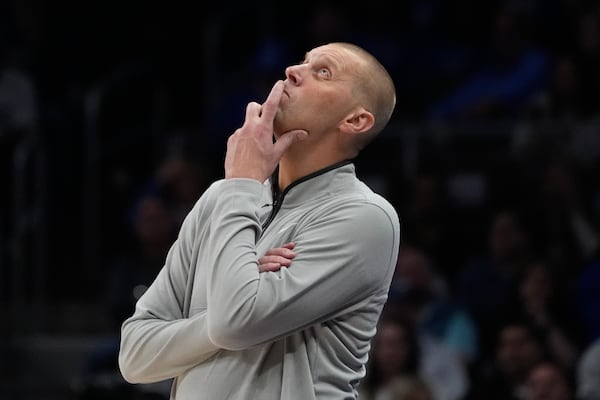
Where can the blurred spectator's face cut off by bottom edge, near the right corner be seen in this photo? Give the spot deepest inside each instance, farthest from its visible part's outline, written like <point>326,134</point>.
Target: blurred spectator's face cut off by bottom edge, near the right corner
<point>547,382</point>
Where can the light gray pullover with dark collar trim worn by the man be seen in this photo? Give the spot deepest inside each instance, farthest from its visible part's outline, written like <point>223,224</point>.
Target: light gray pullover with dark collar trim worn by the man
<point>226,331</point>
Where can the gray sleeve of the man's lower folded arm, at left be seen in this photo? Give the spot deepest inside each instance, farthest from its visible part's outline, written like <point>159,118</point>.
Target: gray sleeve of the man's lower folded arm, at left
<point>161,340</point>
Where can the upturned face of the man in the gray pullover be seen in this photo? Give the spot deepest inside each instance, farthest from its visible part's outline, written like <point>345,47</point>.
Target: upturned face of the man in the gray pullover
<point>318,92</point>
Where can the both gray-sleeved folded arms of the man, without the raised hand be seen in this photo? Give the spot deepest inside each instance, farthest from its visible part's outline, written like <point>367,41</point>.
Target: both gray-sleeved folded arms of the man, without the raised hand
<point>173,329</point>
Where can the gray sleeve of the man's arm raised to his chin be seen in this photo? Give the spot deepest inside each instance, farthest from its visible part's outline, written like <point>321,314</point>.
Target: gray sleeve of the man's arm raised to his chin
<point>344,256</point>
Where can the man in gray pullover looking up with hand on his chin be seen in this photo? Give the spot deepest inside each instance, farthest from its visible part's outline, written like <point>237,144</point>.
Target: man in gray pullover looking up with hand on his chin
<point>228,316</point>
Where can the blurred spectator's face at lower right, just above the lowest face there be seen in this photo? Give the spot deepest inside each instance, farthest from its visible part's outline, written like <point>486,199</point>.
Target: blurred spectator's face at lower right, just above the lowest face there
<point>518,351</point>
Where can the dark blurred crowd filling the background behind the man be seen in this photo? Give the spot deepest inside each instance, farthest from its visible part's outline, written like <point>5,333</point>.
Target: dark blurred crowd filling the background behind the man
<point>114,117</point>
